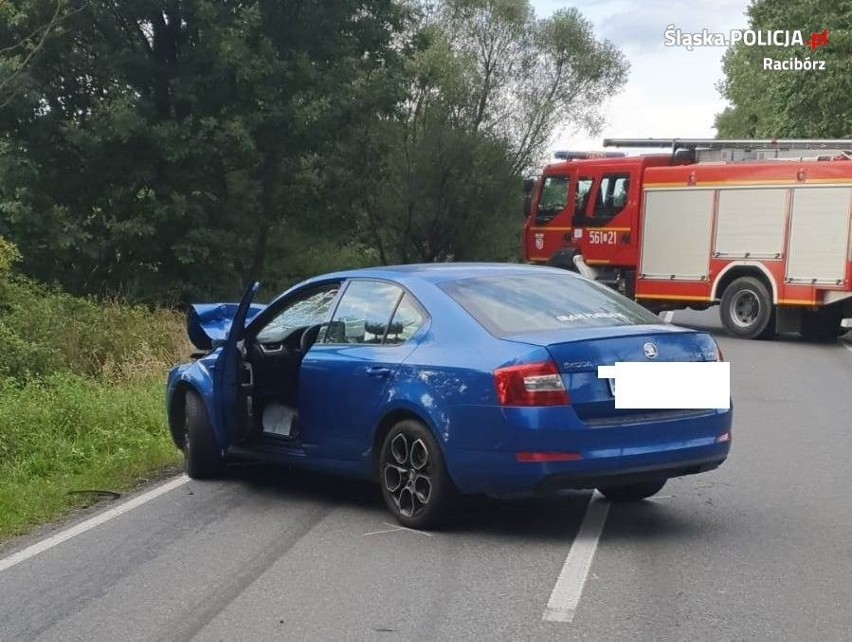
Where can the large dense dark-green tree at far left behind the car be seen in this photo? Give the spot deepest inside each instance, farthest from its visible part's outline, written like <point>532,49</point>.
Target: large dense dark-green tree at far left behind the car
<point>159,143</point>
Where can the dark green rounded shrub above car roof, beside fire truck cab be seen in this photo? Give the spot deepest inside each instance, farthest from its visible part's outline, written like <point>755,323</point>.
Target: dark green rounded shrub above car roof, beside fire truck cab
<point>447,193</point>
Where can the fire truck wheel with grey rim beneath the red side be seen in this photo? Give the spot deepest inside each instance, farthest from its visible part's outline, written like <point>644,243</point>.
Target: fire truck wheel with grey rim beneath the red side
<point>746,310</point>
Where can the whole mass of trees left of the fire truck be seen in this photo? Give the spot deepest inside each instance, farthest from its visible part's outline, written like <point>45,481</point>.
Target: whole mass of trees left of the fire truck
<point>167,150</point>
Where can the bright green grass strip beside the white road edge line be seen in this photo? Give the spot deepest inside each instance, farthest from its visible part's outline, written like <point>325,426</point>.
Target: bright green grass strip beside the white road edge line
<point>68,433</point>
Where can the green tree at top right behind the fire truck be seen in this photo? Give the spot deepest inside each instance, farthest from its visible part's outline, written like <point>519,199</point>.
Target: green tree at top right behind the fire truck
<point>807,103</point>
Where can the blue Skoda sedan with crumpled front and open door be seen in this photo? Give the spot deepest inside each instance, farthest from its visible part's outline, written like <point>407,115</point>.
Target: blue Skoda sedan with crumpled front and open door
<point>438,381</point>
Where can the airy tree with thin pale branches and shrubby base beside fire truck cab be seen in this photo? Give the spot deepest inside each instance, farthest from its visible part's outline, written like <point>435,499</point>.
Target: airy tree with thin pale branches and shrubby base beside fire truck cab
<point>490,84</point>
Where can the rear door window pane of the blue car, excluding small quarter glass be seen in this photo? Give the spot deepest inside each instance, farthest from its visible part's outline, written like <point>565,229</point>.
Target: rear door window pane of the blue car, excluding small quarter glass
<point>364,313</point>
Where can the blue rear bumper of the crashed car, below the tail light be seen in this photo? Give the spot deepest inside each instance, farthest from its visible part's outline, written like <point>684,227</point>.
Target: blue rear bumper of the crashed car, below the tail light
<point>481,453</point>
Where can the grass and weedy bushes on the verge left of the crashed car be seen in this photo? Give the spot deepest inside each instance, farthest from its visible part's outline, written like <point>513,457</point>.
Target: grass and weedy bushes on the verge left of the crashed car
<point>81,397</point>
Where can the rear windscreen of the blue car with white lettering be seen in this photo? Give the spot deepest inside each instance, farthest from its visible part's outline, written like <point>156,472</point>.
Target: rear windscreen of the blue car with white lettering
<point>535,302</point>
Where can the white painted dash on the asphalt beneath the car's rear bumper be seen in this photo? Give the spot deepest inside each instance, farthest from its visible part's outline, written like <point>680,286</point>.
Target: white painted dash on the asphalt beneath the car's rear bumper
<point>569,586</point>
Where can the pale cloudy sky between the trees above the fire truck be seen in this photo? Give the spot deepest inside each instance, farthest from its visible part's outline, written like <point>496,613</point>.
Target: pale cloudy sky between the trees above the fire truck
<point>671,91</point>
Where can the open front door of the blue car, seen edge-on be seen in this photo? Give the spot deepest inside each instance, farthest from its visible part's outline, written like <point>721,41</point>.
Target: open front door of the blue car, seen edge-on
<point>231,379</point>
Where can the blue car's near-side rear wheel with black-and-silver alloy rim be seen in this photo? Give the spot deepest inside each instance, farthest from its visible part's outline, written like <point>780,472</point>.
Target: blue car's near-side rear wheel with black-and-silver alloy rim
<point>415,484</point>
